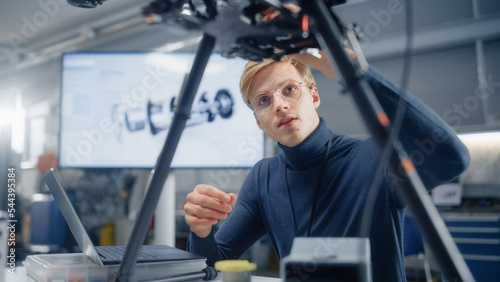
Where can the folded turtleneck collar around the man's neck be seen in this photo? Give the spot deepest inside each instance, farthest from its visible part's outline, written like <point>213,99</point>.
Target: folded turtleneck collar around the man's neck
<point>311,150</point>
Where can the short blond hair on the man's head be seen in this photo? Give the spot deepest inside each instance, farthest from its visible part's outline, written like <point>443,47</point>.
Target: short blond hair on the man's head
<point>252,68</point>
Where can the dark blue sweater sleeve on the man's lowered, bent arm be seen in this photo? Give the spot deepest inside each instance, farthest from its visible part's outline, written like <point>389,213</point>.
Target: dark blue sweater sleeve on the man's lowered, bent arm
<point>237,233</point>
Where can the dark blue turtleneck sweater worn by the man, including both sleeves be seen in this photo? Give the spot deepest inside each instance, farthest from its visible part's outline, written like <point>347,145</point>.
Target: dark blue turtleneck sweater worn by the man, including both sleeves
<point>263,205</point>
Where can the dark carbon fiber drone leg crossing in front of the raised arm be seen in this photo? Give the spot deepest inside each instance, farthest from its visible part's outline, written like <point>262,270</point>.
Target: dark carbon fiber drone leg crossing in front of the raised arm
<point>412,189</point>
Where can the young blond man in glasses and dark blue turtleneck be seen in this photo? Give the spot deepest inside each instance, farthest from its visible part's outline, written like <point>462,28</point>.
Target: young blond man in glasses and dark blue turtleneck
<point>318,168</point>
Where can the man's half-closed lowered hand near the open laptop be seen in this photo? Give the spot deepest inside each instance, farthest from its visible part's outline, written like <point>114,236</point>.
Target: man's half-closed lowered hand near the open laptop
<point>205,206</point>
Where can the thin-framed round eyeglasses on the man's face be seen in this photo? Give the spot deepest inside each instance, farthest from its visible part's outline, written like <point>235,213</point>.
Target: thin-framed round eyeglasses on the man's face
<point>290,91</point>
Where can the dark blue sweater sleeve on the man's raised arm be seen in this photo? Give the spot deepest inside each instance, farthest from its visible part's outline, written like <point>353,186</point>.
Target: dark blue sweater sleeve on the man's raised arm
<point>437,153</point>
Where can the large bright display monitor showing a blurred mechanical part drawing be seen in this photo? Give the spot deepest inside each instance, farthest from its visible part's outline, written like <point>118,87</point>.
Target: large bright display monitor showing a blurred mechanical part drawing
<point>116,109</point>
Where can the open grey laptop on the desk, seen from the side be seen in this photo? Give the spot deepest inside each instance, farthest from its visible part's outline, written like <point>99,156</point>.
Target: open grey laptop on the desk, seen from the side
<point>110,255</point>
